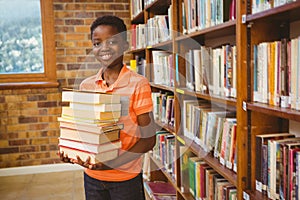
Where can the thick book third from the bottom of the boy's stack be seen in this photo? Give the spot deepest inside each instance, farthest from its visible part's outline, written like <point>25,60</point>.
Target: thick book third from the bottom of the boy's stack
<point>89,137</point>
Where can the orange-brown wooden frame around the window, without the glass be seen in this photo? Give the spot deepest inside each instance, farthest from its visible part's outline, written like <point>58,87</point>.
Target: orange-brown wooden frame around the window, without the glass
<point>48,77</point>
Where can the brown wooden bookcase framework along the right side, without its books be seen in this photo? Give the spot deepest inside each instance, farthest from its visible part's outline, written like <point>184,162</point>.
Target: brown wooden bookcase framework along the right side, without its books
<point>253,118</point>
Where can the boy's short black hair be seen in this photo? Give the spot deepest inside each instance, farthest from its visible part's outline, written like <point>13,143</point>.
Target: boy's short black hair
<point>111,21</point>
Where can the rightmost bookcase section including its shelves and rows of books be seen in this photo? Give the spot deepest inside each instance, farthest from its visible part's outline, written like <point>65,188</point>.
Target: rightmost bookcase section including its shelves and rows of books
<point>271,33</point>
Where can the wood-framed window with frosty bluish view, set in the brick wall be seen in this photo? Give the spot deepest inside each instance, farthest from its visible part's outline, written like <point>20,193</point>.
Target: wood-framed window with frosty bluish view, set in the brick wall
<point>27,43</point>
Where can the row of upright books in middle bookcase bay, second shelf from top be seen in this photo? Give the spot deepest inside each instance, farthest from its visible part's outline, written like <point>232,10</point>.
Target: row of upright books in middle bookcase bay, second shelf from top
<point>212,70</point>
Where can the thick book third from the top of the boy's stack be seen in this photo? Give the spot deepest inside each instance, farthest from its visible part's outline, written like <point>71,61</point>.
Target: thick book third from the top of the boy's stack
<point>90,114</point>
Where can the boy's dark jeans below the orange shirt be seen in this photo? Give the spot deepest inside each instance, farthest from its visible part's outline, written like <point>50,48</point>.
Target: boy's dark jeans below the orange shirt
<point>105,190</point>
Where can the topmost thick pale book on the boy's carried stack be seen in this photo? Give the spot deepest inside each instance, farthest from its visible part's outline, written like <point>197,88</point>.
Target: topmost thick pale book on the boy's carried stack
<point>89,97</point>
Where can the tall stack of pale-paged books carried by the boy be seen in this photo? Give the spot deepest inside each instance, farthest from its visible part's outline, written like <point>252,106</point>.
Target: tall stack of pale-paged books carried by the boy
<point>89,125</point>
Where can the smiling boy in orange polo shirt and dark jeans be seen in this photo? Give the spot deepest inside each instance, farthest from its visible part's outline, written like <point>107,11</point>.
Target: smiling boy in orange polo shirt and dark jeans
<point>119,178</point>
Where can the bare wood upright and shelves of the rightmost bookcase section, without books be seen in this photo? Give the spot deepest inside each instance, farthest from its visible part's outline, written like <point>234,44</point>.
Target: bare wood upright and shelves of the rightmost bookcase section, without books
<point>268,25</point>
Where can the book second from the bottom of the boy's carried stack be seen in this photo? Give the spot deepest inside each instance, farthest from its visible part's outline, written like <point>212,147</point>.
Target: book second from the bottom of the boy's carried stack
<point>94,148</point>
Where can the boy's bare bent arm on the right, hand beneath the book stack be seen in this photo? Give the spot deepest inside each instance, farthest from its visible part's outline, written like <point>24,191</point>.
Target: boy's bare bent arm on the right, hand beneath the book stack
<point>144,144</point>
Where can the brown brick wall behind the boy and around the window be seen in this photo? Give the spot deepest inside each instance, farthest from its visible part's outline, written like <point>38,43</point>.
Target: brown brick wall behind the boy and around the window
<point>28,125</point>
